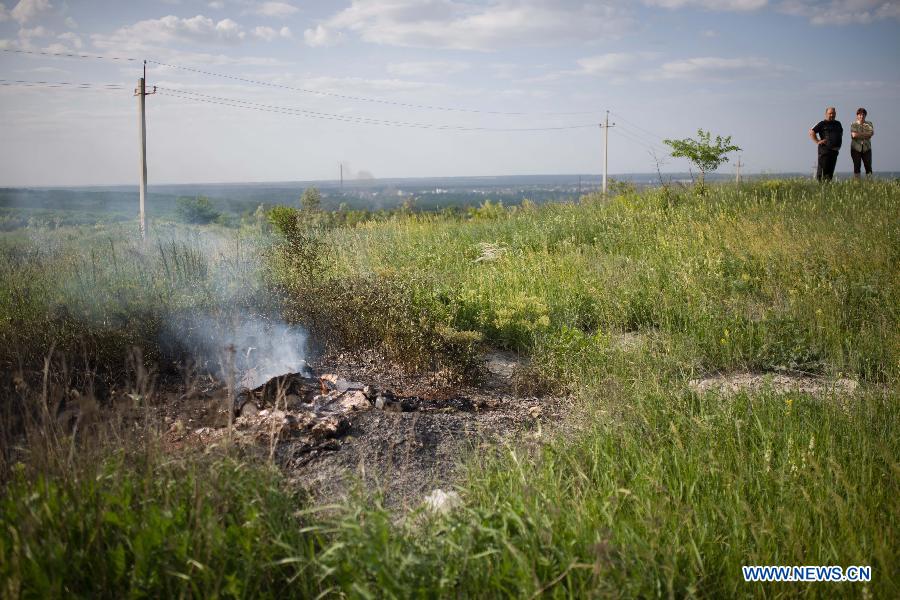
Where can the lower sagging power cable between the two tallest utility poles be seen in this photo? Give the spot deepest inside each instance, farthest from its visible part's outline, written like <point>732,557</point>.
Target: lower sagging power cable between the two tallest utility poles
<point>237,103</point>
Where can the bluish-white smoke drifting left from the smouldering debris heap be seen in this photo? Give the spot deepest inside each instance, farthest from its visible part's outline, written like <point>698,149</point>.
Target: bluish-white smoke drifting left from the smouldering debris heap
<point>194,297</point>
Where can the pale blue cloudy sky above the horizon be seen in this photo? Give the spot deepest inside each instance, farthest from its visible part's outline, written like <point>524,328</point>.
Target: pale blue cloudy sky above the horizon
<point>290,90</point>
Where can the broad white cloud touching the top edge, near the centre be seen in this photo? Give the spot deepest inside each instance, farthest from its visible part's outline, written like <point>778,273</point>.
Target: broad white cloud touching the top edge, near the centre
<point>458,24</point>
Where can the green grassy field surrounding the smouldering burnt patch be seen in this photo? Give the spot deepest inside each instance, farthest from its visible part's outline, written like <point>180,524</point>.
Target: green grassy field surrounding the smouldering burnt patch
<point>647,489</point>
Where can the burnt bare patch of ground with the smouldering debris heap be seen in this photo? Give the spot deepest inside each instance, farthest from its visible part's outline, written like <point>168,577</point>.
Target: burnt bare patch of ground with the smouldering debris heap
<point>359,419</point>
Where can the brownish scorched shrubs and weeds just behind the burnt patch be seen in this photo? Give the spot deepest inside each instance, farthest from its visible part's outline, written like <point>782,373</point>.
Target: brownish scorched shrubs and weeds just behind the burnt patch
<point>360,310</point>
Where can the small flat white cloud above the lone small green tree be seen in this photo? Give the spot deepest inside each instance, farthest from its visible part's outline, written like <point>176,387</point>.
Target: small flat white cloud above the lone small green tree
<point>716,69</point>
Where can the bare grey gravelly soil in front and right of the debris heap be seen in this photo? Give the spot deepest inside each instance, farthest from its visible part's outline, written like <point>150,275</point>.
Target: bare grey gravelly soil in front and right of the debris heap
<point>406,454</point>
